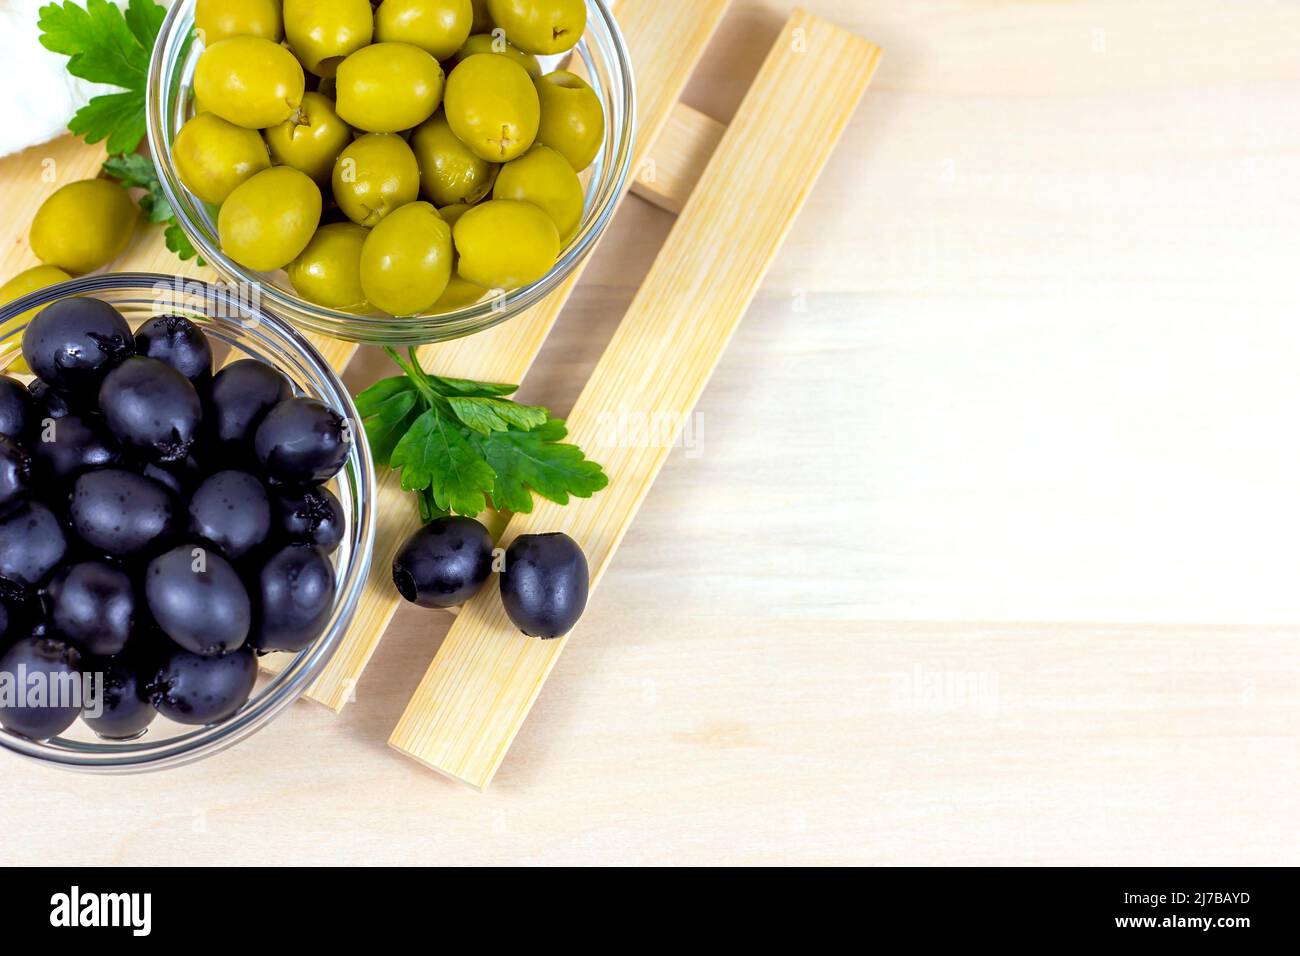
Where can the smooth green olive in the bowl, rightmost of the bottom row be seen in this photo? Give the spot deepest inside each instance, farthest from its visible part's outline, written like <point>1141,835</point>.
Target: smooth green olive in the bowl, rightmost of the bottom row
<point>505,244</point>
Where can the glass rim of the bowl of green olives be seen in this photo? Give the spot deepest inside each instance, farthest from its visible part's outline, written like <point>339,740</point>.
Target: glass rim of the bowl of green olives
<point>384,330</point>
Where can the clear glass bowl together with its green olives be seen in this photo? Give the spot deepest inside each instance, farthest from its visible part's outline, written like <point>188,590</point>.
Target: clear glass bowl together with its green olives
<point>396,175</point>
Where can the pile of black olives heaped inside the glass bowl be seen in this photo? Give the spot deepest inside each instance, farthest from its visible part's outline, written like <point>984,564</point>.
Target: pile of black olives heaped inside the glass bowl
<point>161,526</point>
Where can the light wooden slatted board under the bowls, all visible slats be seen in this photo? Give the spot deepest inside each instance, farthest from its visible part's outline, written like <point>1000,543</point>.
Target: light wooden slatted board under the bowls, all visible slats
<point>738,191</point>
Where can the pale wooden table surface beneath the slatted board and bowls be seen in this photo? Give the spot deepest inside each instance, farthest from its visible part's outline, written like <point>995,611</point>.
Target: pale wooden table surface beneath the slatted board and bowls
<point>987,543</point>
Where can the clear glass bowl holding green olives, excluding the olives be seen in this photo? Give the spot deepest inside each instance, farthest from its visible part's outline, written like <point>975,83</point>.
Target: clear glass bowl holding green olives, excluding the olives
<point>601,58</point>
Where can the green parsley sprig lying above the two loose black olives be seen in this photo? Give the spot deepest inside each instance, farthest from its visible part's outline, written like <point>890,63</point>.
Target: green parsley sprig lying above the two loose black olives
<point>462,445</point>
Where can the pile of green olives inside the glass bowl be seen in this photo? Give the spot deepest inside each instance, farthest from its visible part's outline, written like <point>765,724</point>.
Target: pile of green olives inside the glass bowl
<point>405,158</point>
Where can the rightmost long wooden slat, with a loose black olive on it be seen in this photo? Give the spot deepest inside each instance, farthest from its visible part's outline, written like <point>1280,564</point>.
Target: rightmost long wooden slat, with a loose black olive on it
<point>487,676</point>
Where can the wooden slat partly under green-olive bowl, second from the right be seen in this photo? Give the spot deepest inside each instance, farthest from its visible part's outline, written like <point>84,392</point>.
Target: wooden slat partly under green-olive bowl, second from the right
<point>666,41</point>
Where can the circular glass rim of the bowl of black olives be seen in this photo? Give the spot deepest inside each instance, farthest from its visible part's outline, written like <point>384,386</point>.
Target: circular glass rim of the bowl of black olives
<point>298,676</point>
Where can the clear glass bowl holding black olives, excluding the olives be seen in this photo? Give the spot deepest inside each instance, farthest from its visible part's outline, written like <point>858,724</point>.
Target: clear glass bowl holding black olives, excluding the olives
<point>237,327</point>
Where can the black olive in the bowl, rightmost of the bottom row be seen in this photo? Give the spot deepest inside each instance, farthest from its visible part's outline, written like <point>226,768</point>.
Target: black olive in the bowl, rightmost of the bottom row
<point>192,689</point>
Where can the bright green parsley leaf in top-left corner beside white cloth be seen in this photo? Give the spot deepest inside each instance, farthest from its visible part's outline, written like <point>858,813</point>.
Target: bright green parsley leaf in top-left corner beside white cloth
<point>106,46</point>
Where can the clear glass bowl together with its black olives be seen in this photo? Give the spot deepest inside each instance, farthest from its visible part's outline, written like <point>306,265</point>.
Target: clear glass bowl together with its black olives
<point>185,521</point>
